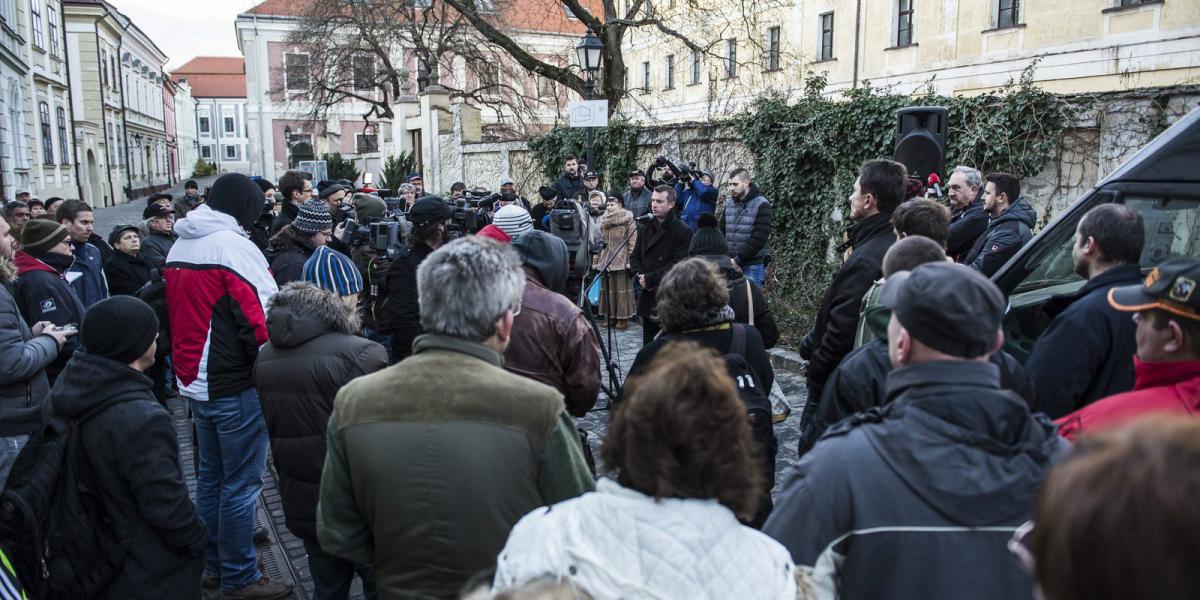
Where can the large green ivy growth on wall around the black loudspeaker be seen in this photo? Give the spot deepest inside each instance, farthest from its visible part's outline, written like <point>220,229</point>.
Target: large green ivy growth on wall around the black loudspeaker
<point>808,154</point>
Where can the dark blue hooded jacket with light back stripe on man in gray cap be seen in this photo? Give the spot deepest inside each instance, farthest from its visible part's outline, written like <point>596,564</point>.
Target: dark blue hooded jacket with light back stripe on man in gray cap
<point>920,499</point>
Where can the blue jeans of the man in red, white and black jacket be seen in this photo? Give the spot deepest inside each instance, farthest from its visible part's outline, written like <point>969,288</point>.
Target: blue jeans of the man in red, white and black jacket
<point>232,440</point>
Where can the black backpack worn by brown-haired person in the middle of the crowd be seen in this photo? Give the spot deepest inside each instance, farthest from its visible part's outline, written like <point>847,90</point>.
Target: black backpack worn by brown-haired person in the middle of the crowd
<point>758,403</point>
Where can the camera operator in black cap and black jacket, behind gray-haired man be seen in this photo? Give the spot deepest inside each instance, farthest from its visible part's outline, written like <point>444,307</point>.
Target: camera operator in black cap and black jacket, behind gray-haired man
<point>431,230</point>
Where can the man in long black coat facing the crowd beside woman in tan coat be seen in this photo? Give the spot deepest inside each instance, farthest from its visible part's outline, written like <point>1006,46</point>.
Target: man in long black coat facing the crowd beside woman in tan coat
<point>663,244</point>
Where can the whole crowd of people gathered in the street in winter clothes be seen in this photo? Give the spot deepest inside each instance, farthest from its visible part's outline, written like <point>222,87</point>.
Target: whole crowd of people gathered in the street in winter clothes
<point>421,400</point>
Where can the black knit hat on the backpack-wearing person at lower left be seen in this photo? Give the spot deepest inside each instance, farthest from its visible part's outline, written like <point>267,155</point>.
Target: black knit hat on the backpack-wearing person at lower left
<point>122,328</point>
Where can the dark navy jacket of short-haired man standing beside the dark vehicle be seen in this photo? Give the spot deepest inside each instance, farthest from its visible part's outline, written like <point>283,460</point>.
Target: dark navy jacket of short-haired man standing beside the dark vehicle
<point>1088,351</point>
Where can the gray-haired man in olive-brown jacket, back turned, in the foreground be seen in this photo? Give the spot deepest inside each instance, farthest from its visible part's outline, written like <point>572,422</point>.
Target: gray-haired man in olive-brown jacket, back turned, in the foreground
<point>433,461</point>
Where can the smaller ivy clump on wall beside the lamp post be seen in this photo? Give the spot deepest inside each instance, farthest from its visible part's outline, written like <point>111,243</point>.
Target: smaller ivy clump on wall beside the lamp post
<point>615,152</point>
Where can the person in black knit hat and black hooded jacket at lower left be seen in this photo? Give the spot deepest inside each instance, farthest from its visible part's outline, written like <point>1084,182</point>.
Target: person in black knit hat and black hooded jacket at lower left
<point>133,451</point>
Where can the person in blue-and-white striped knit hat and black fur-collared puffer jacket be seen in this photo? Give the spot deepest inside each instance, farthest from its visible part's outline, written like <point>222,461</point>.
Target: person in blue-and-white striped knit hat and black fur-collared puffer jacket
<point>314,351</point>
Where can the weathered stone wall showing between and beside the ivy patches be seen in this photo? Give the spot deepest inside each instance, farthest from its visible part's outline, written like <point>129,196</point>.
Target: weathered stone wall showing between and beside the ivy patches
<point>1111,131</point>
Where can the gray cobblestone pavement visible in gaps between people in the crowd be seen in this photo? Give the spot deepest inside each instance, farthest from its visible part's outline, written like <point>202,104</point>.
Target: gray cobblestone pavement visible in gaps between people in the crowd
<point>284,557</point>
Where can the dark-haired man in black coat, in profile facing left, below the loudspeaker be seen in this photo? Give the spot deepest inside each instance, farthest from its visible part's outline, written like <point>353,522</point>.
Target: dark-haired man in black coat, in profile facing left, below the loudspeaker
<point>879,190</point>
